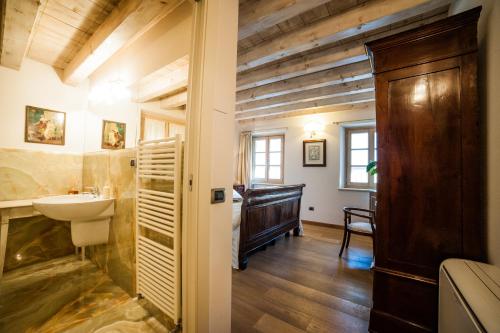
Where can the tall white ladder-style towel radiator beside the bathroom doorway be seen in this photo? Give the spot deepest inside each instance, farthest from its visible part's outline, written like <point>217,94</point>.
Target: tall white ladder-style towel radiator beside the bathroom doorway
<point>158,220</point>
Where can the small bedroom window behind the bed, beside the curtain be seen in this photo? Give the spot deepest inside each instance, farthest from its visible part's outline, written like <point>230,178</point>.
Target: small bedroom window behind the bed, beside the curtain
<point>267,159</point>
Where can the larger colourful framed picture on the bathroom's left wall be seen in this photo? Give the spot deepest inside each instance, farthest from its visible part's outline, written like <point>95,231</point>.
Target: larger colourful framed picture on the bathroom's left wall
<point>44,126</point>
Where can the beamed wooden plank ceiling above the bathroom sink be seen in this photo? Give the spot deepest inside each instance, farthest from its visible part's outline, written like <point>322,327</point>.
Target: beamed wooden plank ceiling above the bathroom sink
<point>74,36</point>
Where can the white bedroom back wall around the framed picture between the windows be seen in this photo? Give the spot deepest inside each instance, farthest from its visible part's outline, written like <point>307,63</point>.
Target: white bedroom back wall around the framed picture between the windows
<point>322,183</point>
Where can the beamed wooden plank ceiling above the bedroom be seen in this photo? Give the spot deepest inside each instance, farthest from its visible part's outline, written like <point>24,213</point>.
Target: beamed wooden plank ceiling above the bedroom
<point>299,57</point>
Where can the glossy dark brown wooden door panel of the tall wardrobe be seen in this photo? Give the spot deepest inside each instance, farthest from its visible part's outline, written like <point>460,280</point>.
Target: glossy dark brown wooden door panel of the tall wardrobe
<point>424,119</point>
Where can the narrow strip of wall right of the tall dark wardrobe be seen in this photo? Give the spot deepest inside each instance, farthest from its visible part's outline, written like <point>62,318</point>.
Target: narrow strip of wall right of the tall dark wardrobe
<point>489,81</point>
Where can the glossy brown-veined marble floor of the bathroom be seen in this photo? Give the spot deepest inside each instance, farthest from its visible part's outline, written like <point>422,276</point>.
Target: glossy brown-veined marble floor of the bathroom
<point>68,295</point>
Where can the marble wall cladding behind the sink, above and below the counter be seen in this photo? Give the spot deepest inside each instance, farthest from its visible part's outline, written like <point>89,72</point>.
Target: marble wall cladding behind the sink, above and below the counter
<point>26,174</point>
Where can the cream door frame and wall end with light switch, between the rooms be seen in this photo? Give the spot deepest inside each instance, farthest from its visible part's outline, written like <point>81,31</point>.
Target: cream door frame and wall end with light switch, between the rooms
<point>209,164</point>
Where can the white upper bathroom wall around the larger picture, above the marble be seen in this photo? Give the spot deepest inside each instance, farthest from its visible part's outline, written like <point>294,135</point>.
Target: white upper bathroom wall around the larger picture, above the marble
<point>39,85</point>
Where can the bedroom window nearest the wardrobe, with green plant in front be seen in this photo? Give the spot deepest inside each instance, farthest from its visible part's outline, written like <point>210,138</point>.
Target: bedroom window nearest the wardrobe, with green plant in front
<point>360,148</point>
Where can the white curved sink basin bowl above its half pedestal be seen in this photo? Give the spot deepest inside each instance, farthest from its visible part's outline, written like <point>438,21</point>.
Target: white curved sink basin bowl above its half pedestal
<point>72,207</point>
